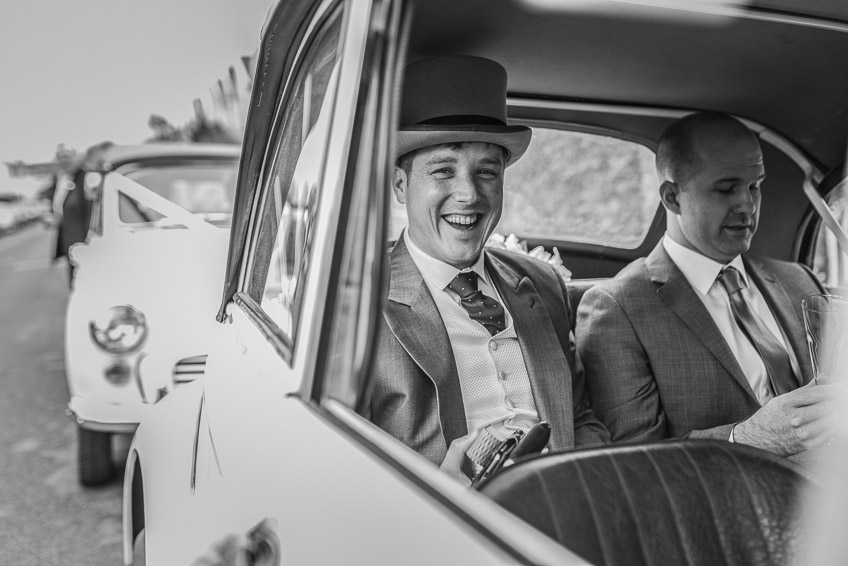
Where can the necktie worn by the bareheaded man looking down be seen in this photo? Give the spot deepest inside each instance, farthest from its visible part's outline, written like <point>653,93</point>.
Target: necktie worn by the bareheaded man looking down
<point>771,351</point>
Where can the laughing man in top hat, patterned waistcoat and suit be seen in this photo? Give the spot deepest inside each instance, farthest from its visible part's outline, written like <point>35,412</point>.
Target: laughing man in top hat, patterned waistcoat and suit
<point>471,339</point>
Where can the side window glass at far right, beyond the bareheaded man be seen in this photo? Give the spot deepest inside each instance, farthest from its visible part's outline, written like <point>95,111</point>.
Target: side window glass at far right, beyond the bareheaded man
<point>831,262</point>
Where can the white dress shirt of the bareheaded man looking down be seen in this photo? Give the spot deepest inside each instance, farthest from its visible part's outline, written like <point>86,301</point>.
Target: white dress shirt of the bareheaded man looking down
<point>701,273</point>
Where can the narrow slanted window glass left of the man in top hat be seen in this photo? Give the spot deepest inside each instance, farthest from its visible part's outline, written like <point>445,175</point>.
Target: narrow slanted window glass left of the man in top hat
<point>292,188</point>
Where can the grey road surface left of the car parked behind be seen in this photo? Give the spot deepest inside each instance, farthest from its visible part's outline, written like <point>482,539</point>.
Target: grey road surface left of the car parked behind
<point>46,518</point>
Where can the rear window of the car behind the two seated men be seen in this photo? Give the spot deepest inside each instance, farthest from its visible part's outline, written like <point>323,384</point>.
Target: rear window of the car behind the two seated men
<point>576,187</point>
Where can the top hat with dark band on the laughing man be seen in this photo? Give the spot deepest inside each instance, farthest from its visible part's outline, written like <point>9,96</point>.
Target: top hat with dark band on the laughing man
<point>457,99</point>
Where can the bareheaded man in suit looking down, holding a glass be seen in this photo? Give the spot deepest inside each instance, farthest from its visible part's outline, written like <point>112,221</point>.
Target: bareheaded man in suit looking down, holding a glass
<point>698,339</point>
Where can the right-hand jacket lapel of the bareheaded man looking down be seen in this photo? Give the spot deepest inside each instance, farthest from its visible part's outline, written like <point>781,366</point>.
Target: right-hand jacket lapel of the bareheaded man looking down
<point>785,311</point>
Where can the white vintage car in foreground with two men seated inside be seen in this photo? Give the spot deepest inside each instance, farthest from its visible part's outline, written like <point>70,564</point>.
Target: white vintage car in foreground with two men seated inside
<point>271,447</point>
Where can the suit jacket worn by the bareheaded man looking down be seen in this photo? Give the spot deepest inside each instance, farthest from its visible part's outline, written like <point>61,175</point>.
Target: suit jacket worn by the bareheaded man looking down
<point>657,365</point>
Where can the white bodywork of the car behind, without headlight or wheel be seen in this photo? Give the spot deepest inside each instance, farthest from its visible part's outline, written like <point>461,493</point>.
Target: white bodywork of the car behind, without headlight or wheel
<point>167,272</point>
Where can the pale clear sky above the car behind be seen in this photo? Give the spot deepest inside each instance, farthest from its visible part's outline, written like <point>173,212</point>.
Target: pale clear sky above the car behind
<point>80,72</point>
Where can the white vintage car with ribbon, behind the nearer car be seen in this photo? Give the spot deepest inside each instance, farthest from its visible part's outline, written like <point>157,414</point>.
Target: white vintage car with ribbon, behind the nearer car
<point>138,317</point>
